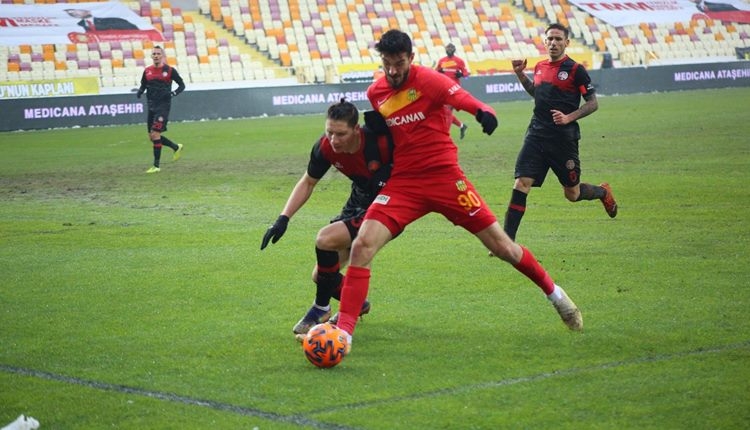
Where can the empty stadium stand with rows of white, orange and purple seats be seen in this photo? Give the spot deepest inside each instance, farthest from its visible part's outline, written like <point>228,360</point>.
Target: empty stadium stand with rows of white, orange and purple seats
<point>312,41</point>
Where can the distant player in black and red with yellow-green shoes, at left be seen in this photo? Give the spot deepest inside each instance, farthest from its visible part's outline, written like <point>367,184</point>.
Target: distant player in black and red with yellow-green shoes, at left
<point>156,82</point>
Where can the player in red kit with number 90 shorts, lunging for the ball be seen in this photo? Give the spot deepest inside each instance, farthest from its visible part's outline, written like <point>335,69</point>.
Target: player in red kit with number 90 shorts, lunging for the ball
<point>426,177</point>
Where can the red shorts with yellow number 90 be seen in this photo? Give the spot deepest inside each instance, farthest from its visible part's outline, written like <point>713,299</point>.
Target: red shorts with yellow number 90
<point>404,200</point>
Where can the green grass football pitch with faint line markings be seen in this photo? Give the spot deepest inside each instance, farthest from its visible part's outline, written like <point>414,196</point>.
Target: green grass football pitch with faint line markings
<point>143,301</point>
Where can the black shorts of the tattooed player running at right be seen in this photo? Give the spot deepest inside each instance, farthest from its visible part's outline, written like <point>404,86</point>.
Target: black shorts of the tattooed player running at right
<point>544,149</point>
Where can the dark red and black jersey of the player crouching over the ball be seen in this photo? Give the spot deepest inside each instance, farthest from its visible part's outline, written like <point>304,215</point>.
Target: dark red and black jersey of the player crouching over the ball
<point>376,151</point>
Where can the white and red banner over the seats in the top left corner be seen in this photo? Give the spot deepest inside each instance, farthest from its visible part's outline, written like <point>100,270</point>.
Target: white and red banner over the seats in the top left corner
<point>22,24</point>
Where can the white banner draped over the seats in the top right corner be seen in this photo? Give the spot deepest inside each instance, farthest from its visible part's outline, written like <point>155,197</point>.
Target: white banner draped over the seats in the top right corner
<point>621,13</point>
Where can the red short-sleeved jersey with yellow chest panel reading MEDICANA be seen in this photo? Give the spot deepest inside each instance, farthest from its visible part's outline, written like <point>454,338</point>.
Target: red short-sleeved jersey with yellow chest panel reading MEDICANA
<point>418,120</point>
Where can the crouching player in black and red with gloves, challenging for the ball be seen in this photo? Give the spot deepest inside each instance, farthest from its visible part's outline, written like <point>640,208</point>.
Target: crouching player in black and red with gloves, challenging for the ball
<point>365,158</point>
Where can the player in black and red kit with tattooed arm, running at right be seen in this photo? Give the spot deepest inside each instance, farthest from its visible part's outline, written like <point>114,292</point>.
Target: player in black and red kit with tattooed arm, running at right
<point>551,140</point>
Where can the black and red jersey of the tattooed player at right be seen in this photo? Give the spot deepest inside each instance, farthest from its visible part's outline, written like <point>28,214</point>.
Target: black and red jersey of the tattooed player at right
<point>559,85</point>
